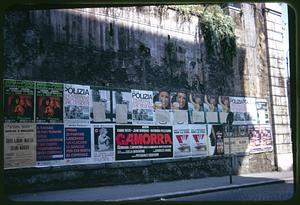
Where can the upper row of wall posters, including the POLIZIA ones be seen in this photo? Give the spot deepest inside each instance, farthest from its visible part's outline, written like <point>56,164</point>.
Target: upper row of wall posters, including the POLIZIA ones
<point>43,102</point>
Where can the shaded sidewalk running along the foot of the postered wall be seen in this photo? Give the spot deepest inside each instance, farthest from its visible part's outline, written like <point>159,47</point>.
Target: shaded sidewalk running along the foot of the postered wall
<point>156,191</point>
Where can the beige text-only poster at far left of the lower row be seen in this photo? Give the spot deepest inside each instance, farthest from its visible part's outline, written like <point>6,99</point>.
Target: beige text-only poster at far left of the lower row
<point>19,145</point>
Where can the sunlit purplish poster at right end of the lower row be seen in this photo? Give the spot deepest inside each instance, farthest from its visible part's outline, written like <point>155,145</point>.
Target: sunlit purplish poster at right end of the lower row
<point>260,138</point>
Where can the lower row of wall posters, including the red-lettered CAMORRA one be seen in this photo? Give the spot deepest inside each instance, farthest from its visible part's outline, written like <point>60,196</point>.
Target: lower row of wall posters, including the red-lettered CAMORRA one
<point>51,144</point>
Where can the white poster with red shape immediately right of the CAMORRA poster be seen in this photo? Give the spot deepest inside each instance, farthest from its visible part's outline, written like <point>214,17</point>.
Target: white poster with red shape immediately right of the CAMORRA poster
<point>181,139</point>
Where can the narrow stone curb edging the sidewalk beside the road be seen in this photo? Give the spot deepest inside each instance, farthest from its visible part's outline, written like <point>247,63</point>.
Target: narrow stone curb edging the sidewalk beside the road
<point>197,191</point>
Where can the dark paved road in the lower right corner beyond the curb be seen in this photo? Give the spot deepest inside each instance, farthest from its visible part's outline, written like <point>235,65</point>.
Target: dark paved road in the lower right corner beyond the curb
<point>280,191</point>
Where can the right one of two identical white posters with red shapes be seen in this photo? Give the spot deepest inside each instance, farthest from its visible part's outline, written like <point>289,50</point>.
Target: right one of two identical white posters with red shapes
<point>198,140</point>
